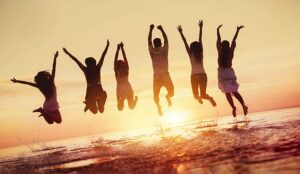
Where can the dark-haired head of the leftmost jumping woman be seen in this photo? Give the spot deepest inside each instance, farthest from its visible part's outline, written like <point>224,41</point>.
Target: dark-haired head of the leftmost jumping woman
<point>43,81</point>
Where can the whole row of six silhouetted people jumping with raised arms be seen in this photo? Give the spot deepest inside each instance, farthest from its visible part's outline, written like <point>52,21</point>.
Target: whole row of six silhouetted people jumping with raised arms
<point>96,96</point>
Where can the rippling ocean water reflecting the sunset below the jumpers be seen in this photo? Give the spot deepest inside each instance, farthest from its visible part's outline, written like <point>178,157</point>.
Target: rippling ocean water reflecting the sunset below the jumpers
<point>264,142</point>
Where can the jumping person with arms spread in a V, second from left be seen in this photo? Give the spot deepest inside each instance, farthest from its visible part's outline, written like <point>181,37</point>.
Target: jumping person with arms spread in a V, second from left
<point>95,97</point>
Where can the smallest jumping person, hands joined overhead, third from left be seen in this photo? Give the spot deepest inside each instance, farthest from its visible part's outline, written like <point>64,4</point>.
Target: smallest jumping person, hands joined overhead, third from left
<point>124,89</point>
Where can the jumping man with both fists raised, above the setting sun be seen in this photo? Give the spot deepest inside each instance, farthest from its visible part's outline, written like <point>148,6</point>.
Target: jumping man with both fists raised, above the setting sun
<point>161,77</point>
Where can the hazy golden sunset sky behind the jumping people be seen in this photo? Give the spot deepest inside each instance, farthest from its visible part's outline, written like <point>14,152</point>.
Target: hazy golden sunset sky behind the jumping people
<point>267,59</point>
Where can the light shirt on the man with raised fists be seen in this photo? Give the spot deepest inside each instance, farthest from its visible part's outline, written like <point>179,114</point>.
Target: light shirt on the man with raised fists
<point>159,58</point>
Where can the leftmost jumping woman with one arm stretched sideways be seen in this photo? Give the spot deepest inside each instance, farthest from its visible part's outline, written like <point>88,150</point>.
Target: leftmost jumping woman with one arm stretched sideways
<point>44,81</point>
